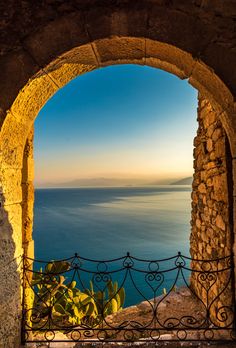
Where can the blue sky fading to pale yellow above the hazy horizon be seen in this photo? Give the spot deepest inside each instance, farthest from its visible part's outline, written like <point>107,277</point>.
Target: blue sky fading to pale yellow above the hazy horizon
<point>124,121</point>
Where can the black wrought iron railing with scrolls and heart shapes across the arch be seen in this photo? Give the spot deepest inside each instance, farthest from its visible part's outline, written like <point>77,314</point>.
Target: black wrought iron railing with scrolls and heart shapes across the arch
<point>128,299</point>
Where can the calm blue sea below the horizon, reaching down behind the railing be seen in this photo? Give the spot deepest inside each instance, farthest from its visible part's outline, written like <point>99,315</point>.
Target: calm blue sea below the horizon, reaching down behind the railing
<point>149,223</point>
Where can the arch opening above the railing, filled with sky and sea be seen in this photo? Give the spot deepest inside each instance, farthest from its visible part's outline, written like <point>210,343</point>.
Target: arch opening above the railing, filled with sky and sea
<point>127,132</point>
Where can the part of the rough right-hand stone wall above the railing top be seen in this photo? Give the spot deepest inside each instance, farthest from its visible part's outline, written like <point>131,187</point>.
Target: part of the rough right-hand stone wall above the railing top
<point>211,234</point>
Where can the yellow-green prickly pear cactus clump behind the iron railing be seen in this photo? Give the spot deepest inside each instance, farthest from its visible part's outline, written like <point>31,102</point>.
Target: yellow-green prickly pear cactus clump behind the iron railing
<point>66,303</point>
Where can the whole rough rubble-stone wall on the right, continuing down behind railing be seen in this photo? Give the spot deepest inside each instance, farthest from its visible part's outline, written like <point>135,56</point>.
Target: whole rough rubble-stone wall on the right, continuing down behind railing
<point>212,231</point>
